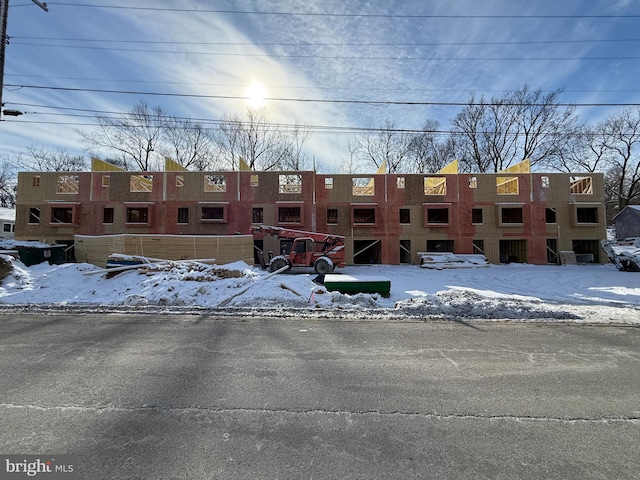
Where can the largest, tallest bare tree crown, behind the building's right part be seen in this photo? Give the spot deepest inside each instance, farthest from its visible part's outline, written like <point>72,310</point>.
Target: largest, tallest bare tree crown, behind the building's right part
<point>522,124</point>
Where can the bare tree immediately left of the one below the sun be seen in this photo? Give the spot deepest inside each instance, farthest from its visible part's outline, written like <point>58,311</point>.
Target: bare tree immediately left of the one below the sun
<point>189,144</point>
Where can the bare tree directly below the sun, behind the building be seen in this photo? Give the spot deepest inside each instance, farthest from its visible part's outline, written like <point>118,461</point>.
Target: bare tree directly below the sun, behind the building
<point>260,143</point>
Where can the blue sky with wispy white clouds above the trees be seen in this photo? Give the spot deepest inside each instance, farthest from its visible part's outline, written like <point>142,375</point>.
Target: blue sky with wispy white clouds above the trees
<point>313,58</point>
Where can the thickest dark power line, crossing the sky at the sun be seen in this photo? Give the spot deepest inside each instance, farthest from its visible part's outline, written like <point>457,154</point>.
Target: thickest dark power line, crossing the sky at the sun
<point>311,100</point>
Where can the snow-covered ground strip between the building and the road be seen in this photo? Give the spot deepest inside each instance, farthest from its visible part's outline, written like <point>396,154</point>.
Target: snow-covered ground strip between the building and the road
<point>577,293</point>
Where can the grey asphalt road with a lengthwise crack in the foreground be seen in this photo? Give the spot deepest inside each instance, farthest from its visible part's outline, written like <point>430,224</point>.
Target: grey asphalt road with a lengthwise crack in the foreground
<point>188,397</point>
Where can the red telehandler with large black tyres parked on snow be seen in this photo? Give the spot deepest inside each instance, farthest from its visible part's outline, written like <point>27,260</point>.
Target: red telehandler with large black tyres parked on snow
<point>322,251</point>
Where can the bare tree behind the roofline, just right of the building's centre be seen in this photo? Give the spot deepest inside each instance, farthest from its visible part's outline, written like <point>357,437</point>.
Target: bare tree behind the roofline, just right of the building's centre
<point>386,145</point>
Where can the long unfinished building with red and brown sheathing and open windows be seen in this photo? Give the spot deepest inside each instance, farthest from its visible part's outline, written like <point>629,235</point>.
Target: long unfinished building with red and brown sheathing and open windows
<point>511,216</point>
